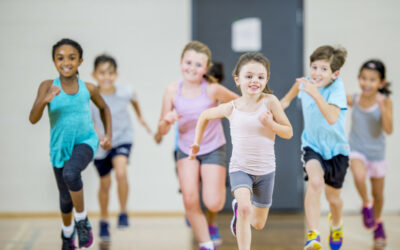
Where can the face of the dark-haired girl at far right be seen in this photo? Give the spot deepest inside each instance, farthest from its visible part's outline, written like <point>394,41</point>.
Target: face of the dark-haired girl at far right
<point>370,82</point>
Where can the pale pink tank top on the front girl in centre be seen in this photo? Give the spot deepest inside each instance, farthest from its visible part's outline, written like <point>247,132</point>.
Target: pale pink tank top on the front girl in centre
<point>252,151</point>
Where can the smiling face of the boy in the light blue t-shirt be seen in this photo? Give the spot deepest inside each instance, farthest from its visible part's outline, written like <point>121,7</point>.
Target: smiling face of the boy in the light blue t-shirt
<point>321,73</point>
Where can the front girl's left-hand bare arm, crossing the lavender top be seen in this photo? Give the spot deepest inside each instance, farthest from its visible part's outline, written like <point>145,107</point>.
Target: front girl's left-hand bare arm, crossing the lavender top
<point>223,110</point>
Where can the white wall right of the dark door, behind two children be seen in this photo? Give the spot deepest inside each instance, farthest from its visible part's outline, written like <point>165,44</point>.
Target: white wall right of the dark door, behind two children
<point>367,29</point>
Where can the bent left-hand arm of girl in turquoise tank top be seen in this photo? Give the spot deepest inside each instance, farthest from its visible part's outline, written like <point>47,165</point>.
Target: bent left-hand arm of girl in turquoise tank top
<point>45,95</point>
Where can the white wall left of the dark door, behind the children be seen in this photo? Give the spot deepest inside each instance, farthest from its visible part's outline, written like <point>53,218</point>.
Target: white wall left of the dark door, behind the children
<point>146,37</point>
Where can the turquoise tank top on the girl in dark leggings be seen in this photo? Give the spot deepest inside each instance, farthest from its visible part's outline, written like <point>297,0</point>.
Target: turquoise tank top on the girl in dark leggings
<point>70,123</point>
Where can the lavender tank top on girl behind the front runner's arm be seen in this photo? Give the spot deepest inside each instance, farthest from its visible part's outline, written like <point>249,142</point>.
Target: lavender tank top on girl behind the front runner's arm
<point>191,108</point>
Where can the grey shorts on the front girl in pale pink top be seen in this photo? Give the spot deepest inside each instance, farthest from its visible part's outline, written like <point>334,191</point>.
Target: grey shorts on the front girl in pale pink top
<point>261,187</point>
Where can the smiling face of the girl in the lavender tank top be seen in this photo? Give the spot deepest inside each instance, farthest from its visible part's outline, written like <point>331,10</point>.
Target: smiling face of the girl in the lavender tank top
<point>194,66</point>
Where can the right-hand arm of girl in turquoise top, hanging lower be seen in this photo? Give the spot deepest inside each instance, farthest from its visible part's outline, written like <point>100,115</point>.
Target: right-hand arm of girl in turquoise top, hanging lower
<point>105,115</point>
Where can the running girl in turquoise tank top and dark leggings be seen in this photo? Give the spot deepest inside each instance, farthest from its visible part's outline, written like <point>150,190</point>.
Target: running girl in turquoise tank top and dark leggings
<point>73,140</point>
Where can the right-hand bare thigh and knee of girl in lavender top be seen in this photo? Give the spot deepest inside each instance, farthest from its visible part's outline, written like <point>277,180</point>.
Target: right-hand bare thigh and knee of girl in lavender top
<point>213,186</point>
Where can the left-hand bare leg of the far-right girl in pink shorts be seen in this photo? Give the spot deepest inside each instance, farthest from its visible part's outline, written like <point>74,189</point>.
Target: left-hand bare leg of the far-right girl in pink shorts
<point>359,171</point>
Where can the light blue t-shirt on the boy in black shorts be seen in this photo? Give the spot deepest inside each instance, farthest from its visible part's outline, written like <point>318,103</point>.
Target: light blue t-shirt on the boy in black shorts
<point>325,139</point>
